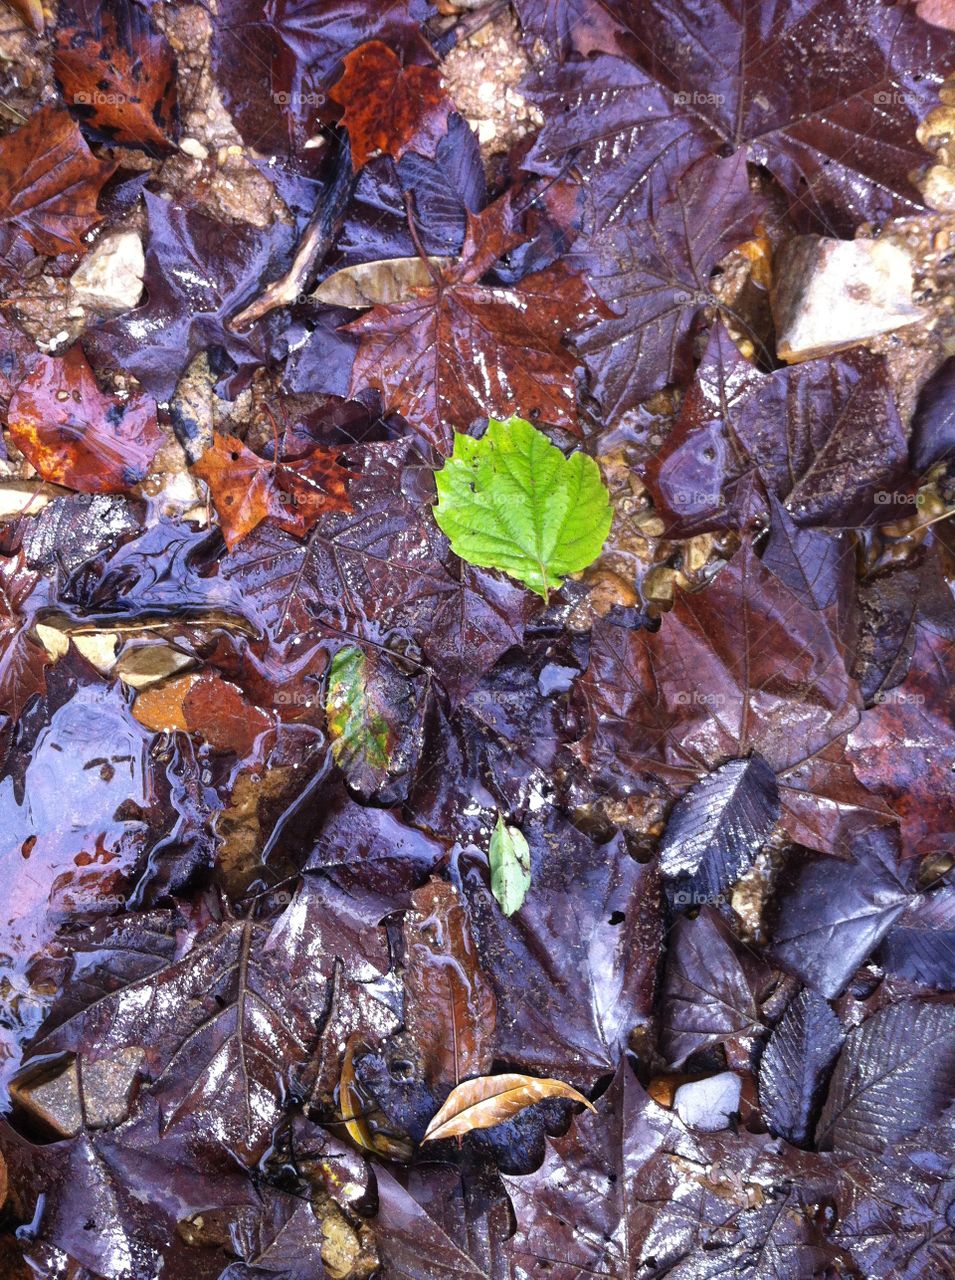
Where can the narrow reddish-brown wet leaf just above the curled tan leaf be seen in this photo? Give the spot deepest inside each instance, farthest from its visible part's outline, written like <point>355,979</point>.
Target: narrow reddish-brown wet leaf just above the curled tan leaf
<point>450,1005</point>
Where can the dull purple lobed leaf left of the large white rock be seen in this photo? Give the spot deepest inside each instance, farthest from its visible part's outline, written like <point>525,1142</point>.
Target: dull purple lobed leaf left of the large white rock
<point>656,277</point>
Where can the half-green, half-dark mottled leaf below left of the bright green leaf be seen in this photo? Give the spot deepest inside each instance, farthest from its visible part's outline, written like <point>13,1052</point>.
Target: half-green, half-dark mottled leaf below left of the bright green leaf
<point>374,725</point>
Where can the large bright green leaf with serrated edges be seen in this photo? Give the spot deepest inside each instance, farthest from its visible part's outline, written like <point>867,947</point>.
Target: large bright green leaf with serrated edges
<point>513,501</point>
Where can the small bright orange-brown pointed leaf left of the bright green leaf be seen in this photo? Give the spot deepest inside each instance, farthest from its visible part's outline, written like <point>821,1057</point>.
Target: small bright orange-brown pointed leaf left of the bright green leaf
<point>248,490</point>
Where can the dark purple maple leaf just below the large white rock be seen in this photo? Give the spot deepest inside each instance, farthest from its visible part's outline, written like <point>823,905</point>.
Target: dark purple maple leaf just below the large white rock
<point>824,437</point>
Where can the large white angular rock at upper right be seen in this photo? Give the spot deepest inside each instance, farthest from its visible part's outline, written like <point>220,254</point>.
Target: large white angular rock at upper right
<point>829,295</point>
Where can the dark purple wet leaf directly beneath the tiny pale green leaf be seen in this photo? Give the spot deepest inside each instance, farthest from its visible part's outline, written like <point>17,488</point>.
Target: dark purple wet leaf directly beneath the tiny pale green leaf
<point>575,968</point>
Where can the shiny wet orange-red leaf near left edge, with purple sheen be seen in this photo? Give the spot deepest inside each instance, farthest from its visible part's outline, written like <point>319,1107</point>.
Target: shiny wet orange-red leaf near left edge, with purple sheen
<point>77,436</point>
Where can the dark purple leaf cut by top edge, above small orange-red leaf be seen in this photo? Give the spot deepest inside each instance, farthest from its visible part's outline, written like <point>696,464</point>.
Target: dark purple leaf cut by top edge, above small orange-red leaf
<point>273,67</point>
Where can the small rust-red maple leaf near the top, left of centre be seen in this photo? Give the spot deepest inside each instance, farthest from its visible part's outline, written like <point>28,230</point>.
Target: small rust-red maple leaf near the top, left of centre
<point>390,108</point>
